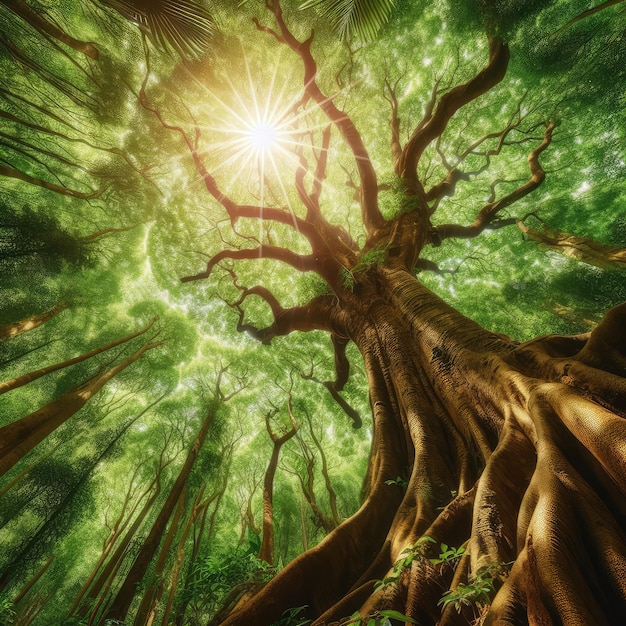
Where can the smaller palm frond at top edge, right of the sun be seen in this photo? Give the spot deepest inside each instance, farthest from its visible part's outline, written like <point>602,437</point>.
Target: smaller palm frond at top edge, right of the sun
<point>364,18</point>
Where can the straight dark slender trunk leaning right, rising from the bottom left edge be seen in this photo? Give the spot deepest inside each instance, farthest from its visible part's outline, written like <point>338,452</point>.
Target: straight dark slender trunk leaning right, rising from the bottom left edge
<point>124,597</point>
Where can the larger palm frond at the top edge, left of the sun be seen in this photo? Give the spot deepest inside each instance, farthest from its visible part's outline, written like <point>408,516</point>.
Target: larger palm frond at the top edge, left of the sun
<point>182,25</point>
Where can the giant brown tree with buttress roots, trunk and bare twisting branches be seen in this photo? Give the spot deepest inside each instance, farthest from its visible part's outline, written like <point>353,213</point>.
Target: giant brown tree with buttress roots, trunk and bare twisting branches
<point>454,405</point>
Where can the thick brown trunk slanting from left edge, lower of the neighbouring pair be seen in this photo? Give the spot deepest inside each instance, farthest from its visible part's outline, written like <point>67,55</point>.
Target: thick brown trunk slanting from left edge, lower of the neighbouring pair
<point>20,437</point>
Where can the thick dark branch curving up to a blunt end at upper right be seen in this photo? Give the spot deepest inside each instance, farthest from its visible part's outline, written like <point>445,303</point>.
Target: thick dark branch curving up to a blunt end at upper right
<point>434,125</point>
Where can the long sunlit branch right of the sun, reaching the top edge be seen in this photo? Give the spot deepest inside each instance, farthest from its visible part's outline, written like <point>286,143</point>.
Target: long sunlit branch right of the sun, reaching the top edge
<point>372,218</point>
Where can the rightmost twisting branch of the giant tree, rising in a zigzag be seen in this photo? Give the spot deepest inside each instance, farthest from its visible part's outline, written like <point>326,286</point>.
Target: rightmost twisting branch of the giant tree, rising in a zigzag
<point>489,212</point>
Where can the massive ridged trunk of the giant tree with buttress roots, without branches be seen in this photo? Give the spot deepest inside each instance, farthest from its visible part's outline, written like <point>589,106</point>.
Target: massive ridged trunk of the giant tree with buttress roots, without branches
<point>515,452</point>
